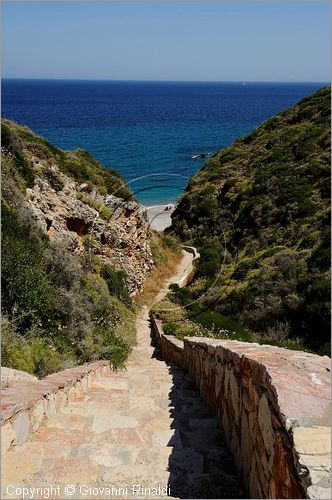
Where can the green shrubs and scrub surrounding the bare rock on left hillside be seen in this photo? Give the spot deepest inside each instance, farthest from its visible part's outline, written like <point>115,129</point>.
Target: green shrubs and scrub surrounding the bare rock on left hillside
<point>58,309</point>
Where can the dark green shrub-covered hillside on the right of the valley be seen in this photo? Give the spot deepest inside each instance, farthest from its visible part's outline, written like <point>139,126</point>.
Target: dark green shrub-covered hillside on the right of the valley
<point>259,212</point>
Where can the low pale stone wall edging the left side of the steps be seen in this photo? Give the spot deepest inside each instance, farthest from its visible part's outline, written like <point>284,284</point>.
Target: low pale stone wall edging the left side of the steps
<point>27,404</point>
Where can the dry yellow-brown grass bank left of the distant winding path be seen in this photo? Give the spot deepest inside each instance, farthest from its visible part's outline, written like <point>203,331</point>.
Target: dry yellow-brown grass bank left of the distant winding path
<point>167,256</point>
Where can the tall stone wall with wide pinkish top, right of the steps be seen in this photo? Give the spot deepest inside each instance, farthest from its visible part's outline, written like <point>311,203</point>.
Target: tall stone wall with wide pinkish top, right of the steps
<point>273,405</point>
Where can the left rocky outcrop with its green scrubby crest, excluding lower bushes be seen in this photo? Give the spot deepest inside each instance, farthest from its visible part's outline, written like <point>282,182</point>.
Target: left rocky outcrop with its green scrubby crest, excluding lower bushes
<point>79,202</point>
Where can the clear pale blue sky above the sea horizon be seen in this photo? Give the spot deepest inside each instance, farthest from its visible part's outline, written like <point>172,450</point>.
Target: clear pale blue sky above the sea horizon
<point>167,41</point>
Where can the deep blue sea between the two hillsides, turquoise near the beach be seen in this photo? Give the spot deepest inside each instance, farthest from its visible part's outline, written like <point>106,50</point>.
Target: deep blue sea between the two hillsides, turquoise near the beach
<point>147,130</point>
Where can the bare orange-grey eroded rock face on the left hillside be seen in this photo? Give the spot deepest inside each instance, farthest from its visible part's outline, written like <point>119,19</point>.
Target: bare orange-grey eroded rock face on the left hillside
<point>106,226</point>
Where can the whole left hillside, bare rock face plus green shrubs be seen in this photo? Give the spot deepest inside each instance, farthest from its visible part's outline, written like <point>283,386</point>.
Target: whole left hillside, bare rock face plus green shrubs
<point>75,250</point>
